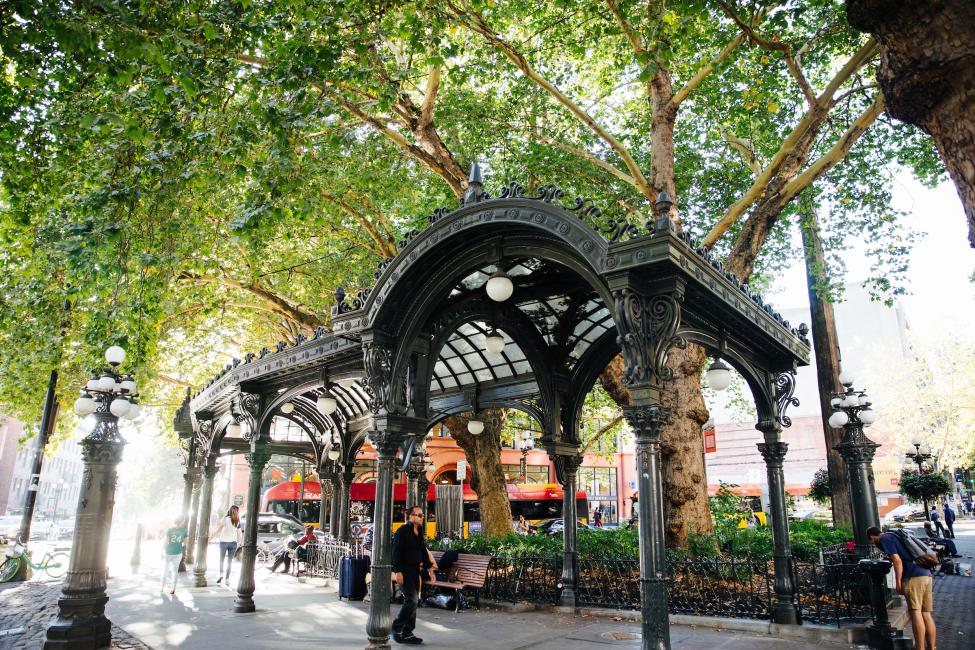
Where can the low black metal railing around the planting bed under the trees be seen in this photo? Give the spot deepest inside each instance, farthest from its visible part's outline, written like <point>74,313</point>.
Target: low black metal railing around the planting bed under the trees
<point>827,593</point>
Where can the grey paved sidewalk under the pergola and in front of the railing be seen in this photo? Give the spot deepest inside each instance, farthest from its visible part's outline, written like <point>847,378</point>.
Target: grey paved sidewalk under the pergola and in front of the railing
<point>308,614</point>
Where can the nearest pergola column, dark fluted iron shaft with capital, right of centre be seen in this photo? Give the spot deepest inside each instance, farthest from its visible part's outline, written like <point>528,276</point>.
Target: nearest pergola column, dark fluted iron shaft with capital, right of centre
<point>647,422</point>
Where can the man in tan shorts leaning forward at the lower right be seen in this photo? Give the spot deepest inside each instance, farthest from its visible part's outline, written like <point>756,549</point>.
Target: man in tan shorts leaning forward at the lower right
<point>913,580</point>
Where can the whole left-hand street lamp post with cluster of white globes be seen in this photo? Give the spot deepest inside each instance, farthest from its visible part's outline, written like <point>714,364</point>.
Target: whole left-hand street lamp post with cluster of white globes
<point>81,622</point>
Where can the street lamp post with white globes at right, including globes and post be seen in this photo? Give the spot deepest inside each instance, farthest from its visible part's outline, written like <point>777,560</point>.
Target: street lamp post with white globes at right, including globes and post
<point>853,413</point>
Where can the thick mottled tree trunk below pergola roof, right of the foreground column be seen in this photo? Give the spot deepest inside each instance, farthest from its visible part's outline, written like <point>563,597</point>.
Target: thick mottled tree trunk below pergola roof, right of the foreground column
<point>686,507</point>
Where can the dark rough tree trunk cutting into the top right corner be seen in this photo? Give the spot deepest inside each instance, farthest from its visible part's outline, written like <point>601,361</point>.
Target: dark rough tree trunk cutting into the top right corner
<point>927,73</point>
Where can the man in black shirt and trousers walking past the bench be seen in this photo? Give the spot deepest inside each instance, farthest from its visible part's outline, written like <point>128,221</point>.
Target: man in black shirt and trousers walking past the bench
<point>409,558</point>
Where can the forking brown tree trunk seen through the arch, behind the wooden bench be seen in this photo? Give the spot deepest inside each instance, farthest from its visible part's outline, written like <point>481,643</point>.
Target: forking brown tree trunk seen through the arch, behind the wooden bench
<point>483,452</point>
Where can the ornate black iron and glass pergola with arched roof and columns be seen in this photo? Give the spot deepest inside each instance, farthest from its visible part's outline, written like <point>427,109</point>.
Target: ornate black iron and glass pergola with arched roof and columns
<point>411,351</point>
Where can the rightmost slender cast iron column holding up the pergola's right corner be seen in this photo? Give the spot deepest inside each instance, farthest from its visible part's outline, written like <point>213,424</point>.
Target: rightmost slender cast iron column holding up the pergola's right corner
<point>773,450</point>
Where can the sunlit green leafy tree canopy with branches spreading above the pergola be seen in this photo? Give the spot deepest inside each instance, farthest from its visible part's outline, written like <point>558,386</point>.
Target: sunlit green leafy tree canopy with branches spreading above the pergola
<point>198,178</point>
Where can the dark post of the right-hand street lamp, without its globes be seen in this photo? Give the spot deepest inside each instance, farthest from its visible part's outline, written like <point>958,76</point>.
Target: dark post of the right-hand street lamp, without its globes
<point>857,451</point>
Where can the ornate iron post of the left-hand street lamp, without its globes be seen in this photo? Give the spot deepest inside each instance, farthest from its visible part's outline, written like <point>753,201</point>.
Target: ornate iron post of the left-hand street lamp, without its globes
<point>81,622</point>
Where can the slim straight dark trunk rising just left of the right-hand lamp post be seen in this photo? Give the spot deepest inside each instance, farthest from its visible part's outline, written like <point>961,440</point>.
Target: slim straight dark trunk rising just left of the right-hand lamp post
<point>827,350</point>
